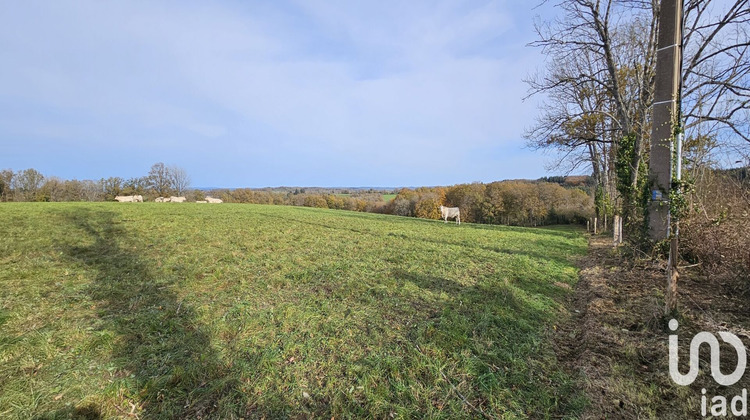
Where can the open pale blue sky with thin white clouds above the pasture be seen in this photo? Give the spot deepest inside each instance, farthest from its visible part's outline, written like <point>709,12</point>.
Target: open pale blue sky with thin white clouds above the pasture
<point>270,93</point>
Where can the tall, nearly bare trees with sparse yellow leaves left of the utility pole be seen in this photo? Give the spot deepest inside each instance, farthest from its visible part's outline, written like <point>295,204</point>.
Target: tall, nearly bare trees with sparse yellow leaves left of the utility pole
<point>599,82</point>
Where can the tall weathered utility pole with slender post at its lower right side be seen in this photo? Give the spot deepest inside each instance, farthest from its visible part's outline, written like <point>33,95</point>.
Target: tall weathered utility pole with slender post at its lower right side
<point>666,118</point>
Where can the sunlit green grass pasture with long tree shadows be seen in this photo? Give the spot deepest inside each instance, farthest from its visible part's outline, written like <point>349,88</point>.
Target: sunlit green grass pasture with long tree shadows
<point>227,311</point>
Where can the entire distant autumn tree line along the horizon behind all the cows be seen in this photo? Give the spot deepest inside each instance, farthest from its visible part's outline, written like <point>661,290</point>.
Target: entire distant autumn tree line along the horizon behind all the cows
<point>552,200</point>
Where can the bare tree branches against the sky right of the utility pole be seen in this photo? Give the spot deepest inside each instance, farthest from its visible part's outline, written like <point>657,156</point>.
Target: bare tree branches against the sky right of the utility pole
<point>716,74</point>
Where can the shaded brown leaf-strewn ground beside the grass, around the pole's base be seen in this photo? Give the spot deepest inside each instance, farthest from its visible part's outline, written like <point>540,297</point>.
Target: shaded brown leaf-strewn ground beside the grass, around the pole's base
<point>616,338</point>
